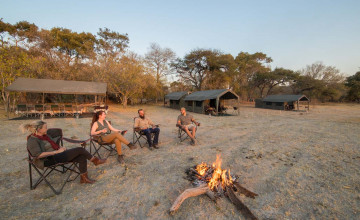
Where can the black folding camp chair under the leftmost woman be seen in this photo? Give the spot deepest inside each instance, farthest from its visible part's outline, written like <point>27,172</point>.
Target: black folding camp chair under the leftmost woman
<point>44,175</point>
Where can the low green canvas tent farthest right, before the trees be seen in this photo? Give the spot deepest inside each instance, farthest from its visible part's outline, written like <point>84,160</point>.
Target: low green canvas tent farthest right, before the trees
<point>282,102</point>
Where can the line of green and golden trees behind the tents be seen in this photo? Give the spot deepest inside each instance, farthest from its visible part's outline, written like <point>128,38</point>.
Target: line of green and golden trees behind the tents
<point>60,53</point>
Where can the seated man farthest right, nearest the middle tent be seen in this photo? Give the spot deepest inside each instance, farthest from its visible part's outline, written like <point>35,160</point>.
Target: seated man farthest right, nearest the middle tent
<point>184,121</point>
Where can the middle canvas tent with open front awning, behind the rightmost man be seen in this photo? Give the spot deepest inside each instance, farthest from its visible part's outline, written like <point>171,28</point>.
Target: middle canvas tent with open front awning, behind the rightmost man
<point>201,101</point>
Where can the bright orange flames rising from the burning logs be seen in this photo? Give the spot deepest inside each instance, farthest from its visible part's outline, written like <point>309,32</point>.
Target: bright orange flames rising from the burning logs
<point>220,178</point>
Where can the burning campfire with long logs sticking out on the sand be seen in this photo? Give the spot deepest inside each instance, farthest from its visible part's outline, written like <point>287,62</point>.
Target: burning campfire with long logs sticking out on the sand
<point>215,183</point>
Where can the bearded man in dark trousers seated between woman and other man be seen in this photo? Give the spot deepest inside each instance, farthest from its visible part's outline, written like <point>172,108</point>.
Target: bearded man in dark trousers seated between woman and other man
<point>143,124</point>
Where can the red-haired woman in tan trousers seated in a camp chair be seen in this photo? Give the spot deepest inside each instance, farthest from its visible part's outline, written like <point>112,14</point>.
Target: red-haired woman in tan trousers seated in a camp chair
<point>103,128</point>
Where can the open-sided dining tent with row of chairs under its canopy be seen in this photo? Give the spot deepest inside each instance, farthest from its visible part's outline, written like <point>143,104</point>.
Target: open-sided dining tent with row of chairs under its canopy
<point>45,87</point>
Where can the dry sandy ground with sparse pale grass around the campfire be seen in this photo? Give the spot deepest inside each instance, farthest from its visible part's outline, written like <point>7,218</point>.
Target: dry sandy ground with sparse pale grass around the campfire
<point>302,165</point>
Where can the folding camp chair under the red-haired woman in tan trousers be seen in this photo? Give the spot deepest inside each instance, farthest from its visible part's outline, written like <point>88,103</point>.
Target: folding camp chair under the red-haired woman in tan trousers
<point>96,144</point>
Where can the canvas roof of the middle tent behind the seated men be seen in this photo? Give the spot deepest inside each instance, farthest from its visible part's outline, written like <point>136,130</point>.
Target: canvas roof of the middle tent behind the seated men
<point>210,94</point>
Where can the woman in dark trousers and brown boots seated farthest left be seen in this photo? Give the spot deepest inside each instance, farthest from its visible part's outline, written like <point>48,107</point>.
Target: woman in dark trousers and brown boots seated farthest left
<point>47,152</point>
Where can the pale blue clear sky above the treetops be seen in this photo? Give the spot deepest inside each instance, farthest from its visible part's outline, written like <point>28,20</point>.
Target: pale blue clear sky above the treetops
<point>294,33</point>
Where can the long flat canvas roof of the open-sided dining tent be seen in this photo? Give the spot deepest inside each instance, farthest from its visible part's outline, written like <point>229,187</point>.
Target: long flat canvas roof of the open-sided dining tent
<point>57,86</point>
